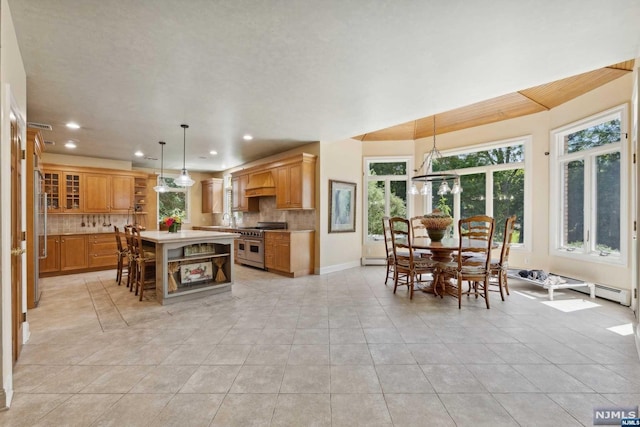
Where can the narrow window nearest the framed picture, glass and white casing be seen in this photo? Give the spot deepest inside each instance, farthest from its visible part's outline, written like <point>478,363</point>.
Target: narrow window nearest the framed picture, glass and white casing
<point>387,185</point>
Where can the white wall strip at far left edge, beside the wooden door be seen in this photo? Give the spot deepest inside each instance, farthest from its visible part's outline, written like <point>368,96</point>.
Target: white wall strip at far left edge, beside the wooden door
<point>13,89</point>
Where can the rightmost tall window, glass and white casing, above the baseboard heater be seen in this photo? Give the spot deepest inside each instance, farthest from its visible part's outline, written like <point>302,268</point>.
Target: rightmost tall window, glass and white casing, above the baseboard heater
<point>589,188</point>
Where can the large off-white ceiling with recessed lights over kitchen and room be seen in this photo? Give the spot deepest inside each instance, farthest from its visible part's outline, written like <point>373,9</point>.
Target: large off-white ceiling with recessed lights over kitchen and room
<point>288,73</point>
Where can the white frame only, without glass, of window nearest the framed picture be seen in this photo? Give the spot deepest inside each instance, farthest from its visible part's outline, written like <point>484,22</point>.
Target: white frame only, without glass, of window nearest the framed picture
<point>387,187</point>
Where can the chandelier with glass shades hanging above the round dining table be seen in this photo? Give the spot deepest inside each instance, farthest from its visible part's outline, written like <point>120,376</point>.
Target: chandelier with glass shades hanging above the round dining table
<point>427,177</point>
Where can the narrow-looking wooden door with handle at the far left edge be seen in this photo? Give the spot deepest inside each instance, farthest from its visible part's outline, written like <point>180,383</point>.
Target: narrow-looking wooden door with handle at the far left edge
<point>16,240</point>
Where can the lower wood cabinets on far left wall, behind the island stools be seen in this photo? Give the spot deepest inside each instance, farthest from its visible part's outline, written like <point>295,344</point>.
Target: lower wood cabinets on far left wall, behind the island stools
<point>71,253</point>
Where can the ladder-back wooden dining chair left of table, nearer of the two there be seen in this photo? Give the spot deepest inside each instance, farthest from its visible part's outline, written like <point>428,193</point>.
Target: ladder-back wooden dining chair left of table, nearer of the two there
<point>409,265</point>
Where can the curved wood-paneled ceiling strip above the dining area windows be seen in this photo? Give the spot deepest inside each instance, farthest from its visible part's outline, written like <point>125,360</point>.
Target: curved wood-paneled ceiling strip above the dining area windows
<point>517,104</point>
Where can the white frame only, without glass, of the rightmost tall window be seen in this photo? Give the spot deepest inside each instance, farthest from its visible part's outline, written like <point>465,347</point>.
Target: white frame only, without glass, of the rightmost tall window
<point>558,159</point>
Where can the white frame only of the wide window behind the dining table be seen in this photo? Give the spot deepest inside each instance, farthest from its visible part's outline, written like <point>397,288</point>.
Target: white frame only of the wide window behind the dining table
<point>526,141</point>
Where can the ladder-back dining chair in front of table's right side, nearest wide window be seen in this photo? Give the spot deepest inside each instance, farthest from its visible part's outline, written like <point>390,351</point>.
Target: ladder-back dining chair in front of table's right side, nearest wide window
<point>473,259</point>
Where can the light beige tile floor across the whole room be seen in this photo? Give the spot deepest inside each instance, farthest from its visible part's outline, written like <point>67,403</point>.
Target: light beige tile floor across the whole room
<point>339,349</point>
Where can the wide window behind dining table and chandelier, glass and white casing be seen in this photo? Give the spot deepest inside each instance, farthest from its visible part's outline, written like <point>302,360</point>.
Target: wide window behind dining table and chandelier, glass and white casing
<point>495,182</point>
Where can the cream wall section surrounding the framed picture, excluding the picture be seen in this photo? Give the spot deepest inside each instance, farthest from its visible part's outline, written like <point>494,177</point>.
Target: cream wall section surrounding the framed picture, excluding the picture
<point>342,161</point>
